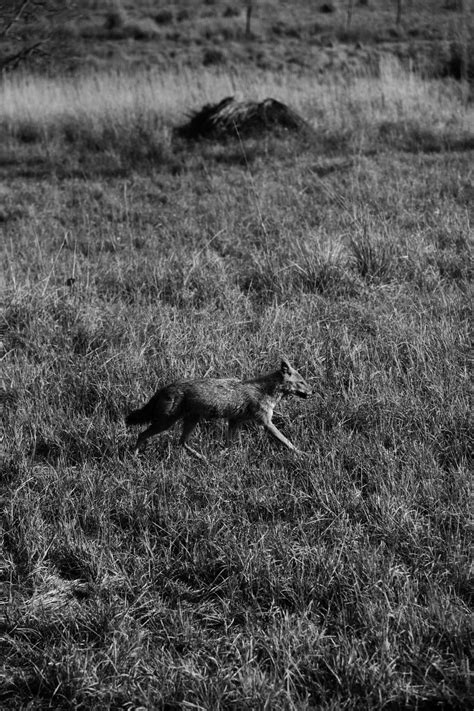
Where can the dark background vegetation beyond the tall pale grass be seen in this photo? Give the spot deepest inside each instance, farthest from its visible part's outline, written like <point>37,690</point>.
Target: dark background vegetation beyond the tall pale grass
<point>316,36</point>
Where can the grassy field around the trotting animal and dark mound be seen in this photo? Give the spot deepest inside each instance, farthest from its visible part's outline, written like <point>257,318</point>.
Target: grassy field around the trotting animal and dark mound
<point>339,580</point>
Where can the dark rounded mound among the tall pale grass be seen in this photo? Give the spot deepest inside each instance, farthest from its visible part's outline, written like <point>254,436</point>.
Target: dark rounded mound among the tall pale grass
<point>231,118</point>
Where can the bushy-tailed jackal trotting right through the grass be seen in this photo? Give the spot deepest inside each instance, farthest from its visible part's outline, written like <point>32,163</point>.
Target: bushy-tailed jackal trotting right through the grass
<point>213,398</point>
